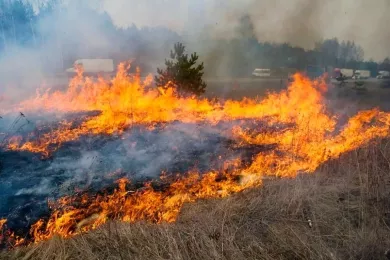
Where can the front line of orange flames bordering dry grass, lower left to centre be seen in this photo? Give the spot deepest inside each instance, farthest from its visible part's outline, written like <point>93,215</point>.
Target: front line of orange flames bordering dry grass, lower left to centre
<point>146,204</point>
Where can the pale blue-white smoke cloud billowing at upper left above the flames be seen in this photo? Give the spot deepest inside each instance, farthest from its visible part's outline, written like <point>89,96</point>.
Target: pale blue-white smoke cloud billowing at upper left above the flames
<point>71,31</point>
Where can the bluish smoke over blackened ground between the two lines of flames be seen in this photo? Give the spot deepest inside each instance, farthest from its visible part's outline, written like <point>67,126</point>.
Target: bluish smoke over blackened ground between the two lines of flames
<point>28,182</point>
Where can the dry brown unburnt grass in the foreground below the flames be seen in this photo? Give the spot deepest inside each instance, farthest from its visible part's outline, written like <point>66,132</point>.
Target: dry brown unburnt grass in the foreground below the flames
<point>347,202</point>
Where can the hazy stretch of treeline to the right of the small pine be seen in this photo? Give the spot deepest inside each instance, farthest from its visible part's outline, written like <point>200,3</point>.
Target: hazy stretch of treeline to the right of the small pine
<point>244,53</point>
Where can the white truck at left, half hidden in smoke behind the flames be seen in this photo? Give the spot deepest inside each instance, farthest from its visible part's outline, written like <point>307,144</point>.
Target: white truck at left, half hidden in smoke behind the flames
<point>94,66</point>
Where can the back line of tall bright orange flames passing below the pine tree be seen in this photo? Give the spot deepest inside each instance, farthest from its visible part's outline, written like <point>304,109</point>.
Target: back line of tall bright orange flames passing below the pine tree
<point>128,101</point>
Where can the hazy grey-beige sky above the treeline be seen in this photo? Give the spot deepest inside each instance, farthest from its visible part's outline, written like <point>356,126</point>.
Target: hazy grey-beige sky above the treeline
<point>299,22</point>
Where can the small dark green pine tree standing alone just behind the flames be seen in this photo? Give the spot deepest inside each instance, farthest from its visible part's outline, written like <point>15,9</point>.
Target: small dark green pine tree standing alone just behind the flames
<point>182,73</point>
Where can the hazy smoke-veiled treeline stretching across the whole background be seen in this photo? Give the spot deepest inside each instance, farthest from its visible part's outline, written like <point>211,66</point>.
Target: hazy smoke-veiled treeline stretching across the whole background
<point>60,38</point>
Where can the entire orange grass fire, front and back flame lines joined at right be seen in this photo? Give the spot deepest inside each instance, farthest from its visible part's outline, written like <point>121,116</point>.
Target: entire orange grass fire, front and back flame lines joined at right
<point>295,121</point>
